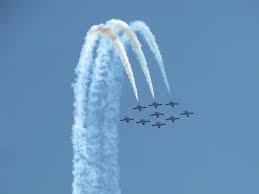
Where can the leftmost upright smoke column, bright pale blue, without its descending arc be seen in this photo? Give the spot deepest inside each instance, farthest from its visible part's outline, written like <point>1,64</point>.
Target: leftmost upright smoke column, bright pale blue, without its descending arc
<point>80,135</point>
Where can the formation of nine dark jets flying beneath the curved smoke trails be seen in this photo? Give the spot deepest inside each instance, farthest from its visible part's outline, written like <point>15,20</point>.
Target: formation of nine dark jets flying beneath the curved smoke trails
<point>156,114</point>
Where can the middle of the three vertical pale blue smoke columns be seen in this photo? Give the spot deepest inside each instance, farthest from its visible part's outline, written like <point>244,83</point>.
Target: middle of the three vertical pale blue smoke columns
<point>91,177</point>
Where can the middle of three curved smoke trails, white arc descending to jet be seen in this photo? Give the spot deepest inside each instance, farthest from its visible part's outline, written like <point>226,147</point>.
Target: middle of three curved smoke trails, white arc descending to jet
<point>136,47</point>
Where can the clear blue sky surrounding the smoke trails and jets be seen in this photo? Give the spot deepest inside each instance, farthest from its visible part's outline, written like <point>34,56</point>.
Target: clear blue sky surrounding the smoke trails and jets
<point>210,50</point>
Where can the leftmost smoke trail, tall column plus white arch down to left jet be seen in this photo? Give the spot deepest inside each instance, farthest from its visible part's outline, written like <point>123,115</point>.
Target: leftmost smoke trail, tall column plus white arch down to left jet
<point>85,137</point>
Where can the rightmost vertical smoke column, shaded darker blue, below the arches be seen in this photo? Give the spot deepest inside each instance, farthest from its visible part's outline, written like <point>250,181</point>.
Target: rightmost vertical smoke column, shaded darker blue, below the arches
<point>110,166</point>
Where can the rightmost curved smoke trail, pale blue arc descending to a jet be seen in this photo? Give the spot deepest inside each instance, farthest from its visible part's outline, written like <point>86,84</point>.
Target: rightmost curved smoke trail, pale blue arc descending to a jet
<point>139,26</point>
